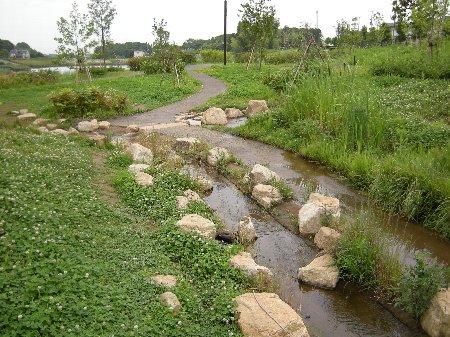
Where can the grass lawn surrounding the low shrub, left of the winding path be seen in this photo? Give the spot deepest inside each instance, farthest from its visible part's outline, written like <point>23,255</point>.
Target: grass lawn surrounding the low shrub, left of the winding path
<point>148,91</point>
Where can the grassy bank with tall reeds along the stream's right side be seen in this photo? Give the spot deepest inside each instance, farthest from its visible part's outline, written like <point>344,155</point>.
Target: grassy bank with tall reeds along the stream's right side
<point>388,135</point>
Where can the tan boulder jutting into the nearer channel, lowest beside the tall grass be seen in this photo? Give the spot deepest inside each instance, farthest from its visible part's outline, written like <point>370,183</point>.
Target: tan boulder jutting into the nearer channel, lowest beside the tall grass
<point>321,272</point>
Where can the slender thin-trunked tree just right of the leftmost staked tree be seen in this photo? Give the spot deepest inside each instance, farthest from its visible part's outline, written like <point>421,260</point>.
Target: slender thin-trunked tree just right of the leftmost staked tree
<point>102,13</point>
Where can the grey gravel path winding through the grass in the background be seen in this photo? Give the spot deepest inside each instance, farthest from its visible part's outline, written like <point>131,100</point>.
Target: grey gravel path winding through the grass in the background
<point>166,114</point>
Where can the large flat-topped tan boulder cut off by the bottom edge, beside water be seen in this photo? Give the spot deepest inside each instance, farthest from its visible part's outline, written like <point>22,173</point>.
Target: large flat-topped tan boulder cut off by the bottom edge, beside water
<point>266,315</point>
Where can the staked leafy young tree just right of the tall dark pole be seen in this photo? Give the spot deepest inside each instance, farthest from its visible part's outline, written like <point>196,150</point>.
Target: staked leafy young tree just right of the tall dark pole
<point>260,25</point>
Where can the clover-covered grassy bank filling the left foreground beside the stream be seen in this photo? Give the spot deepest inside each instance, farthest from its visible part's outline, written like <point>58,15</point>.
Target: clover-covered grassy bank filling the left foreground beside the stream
<point>76,261</point>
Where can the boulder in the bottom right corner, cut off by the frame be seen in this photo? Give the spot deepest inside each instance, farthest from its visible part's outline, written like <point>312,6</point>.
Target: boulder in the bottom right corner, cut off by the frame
<point>436,320</point>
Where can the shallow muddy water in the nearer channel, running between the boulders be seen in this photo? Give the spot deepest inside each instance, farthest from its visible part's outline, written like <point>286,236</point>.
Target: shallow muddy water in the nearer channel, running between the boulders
<point>344,312</point>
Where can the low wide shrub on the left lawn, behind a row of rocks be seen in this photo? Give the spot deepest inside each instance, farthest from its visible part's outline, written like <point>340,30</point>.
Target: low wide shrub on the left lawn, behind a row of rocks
<point>81,102</point>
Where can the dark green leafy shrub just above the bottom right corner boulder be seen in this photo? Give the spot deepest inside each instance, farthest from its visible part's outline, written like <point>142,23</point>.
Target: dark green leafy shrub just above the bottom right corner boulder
<point>420,283</point>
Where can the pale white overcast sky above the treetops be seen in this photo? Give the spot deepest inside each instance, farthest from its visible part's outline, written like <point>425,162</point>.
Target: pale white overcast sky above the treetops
<point>34,21</point>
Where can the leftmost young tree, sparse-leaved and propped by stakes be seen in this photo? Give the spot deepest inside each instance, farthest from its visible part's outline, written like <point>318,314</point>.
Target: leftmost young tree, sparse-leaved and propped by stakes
<point>76,38</point>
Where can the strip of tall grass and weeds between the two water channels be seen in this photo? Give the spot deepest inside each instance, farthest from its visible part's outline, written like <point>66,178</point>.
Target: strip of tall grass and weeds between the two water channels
<point>370,256</point>
